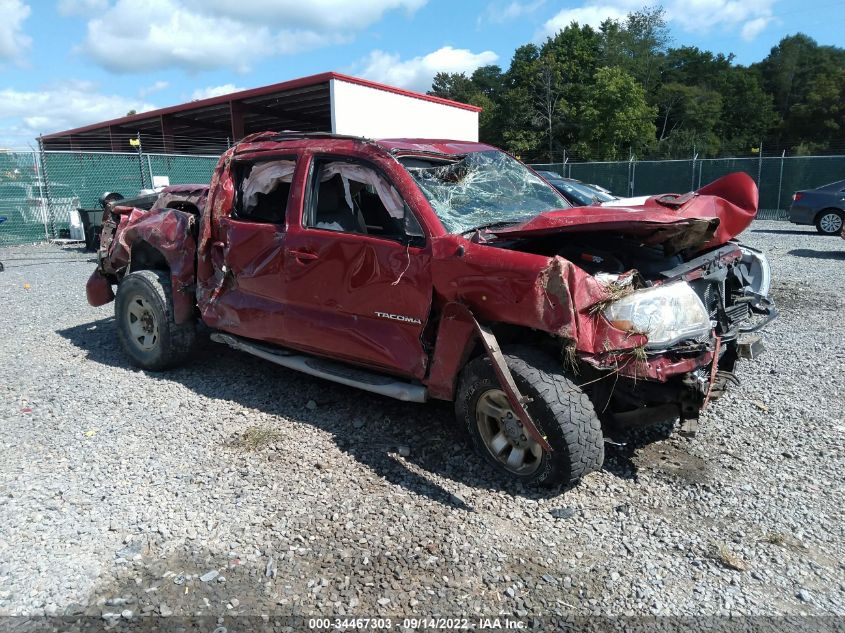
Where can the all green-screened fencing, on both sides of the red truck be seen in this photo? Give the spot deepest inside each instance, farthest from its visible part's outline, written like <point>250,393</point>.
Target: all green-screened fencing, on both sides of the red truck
<point>40,191</point>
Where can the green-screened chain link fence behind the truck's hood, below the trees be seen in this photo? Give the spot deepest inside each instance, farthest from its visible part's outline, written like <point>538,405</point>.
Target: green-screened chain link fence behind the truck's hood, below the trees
<point>777,177</point>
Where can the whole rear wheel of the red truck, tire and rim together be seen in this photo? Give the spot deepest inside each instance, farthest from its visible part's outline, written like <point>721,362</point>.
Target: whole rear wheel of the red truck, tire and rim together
<point>144,314</point>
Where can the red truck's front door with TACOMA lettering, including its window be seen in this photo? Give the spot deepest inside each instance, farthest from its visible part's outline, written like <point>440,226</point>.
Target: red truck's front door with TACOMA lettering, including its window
<point>358,287</point>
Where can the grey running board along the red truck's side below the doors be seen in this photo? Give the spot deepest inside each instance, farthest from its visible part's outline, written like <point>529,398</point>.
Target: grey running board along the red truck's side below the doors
<point>329,370</point>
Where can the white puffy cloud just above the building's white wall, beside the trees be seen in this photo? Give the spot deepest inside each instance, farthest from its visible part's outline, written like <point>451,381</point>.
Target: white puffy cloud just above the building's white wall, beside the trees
<point>418,72</point>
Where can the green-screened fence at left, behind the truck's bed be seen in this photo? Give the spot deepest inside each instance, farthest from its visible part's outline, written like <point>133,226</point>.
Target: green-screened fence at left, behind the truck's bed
<point>39,192</point>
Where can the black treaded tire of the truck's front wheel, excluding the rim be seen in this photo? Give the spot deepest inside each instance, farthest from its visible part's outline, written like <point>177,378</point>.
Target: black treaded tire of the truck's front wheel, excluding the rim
<point>559,408</point>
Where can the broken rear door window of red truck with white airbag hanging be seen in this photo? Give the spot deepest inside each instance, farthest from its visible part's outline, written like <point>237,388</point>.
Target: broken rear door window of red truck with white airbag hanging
<point>263,190</point>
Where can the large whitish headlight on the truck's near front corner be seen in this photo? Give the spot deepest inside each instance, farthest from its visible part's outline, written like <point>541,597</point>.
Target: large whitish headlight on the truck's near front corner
<point>665,314</point>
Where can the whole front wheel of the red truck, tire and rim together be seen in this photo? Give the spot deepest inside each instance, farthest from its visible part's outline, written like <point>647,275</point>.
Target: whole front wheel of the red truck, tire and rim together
<point>560,410</point>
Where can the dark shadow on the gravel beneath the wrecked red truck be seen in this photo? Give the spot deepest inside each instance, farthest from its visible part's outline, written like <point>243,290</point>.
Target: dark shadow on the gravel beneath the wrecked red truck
<point>366,426</point>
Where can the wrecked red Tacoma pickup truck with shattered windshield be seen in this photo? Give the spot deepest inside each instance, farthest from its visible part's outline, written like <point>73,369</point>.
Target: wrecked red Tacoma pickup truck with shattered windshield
<point>423,269</point>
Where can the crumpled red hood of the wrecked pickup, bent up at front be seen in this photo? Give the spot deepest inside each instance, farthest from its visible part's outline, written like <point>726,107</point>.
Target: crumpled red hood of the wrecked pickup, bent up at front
<point>709,217</point>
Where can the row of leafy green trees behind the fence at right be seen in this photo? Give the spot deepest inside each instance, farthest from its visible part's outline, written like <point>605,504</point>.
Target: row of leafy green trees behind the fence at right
<point>622,90</point>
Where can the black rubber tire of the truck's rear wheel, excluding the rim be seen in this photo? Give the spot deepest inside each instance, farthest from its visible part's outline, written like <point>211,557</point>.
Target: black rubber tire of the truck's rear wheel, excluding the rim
<point>175,341</point>
